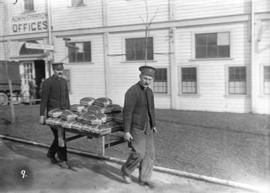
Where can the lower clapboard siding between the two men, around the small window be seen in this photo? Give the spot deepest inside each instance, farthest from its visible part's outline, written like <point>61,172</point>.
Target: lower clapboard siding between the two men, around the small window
<point>87,79</point>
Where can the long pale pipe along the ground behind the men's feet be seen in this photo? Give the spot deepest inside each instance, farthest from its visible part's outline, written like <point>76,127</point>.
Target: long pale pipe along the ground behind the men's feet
<point>156,168</point>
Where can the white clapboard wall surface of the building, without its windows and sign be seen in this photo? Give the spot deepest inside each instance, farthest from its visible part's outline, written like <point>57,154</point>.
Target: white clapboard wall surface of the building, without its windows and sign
<point>88,79</point>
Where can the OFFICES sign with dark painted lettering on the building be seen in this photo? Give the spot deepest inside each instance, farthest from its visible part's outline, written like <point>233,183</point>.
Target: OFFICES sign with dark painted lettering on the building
<point>29,23</point>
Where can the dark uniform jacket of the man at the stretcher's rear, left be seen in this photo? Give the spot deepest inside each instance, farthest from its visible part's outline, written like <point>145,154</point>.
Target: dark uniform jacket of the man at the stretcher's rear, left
<point>54,94</point>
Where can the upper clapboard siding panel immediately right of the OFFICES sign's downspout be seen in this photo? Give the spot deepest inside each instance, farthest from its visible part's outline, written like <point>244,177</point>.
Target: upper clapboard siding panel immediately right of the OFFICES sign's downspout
<point>67,17</point>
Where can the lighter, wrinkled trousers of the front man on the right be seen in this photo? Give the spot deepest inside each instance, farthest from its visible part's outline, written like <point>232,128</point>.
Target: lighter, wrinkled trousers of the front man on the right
<point>142,154</point>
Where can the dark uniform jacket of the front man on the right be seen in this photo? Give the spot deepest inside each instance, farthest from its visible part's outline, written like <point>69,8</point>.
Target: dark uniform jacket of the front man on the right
<point>138,108</point>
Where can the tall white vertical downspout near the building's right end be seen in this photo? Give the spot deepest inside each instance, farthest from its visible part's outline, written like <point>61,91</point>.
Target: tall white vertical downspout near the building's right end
<point>252,59</point>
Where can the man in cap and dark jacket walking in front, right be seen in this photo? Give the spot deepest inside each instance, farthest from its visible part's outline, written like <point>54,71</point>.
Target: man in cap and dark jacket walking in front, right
<point>139,127</point>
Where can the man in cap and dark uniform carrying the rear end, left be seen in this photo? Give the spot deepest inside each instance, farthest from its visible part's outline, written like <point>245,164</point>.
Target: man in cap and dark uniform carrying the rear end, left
<point>55,95</point>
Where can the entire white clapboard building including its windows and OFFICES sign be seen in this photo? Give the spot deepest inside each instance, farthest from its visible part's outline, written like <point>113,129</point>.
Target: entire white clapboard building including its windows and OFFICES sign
<point>211,55</point>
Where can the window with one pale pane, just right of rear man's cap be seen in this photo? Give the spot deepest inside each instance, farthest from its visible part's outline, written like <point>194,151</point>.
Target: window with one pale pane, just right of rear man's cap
<point>79,51</point>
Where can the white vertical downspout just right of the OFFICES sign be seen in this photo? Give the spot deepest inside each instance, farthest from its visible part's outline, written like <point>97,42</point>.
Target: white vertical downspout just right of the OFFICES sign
<point>49,53</point>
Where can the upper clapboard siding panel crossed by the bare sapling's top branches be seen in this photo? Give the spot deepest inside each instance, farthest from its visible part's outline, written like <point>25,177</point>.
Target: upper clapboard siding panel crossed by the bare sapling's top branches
<point>124,12</point>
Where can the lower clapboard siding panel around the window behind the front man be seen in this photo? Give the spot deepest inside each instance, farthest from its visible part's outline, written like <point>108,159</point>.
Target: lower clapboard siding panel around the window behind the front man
<point>123,74</point>
